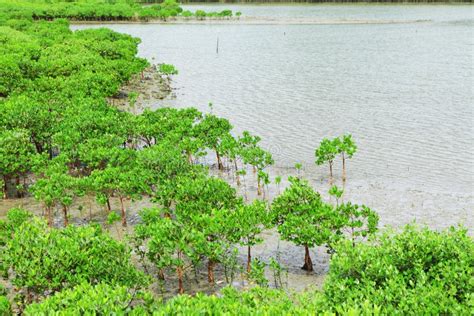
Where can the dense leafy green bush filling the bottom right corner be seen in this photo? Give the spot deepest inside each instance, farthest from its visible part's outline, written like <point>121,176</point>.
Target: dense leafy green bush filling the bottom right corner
<point>415,272</point>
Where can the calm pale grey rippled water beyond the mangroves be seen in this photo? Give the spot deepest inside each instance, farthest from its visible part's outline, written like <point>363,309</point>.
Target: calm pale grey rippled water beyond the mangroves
<point>404,90</point>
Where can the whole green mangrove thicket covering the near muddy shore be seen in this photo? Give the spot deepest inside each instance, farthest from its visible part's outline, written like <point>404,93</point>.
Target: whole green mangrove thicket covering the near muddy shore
<point>60,140</point>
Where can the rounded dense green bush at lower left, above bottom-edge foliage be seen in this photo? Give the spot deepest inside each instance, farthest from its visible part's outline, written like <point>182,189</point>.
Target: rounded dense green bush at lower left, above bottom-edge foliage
<point>43,259</point>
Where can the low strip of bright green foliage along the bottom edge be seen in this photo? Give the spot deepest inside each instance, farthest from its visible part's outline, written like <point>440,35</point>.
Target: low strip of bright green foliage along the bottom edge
<point>106,300</point>
